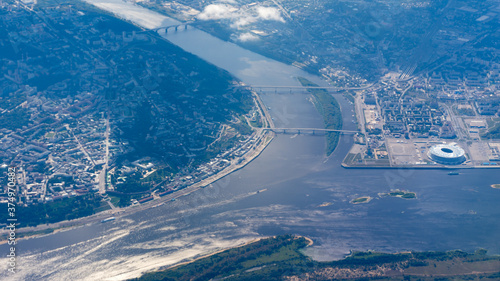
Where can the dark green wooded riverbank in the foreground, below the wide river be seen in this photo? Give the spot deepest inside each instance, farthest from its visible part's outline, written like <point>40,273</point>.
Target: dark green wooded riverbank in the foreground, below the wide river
<point>281,258</point>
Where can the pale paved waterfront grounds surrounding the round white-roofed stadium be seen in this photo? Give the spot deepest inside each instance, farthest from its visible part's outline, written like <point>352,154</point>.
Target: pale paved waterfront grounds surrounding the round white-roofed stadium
<point>413,153</point>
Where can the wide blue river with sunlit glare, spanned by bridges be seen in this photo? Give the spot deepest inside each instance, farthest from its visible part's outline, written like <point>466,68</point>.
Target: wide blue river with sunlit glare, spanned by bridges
<point>305,193</point>
